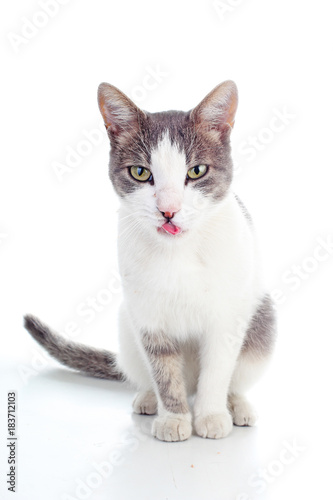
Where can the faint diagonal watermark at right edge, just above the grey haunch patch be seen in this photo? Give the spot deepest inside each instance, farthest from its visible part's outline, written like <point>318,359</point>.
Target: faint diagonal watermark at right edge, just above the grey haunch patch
<point>299,273</point>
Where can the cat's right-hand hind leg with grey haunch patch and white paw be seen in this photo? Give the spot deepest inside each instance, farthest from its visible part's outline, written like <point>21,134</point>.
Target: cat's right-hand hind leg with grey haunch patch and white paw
<point>252,362</point>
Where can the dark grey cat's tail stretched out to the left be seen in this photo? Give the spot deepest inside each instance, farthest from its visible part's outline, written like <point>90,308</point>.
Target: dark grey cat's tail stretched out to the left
<point>95,362</point>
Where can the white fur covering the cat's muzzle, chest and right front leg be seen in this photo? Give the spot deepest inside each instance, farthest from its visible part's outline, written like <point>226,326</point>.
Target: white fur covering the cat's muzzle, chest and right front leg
<point>200,287</point>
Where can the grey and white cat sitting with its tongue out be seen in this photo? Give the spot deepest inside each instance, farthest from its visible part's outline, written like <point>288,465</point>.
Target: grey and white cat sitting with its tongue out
<point>195,317</point>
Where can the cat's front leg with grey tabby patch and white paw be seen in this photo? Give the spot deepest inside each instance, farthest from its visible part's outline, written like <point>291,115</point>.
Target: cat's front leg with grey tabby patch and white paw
<point>164,357</point>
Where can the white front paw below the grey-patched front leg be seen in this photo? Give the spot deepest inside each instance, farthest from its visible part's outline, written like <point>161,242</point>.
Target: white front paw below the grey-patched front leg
<point>172,428</point>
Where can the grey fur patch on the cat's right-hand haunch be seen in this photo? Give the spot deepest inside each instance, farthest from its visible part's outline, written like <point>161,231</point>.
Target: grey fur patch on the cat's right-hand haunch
<point>261,334</point>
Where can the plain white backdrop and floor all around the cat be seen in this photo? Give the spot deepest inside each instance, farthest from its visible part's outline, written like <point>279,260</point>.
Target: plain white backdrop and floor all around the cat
<point>58,236</point>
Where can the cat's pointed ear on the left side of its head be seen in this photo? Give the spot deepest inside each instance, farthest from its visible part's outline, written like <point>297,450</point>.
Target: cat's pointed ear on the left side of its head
<point>118,111</point>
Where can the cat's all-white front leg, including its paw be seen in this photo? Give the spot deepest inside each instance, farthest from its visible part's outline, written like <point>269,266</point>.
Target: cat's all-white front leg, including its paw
<point>219,350</point>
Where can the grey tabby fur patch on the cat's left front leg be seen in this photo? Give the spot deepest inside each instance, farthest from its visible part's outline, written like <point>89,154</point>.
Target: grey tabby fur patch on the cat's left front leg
<point>166,361</point>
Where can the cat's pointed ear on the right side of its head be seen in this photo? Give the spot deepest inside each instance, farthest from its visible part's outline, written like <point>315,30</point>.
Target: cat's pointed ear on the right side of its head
<point>217,110</point>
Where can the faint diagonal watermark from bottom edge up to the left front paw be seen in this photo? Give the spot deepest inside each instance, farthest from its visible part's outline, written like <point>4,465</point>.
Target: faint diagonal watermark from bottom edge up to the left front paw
<point>101,471</point>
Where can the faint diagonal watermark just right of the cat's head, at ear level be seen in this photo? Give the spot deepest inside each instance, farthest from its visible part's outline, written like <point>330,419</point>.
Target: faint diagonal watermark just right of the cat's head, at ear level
<point>248,149</point>
